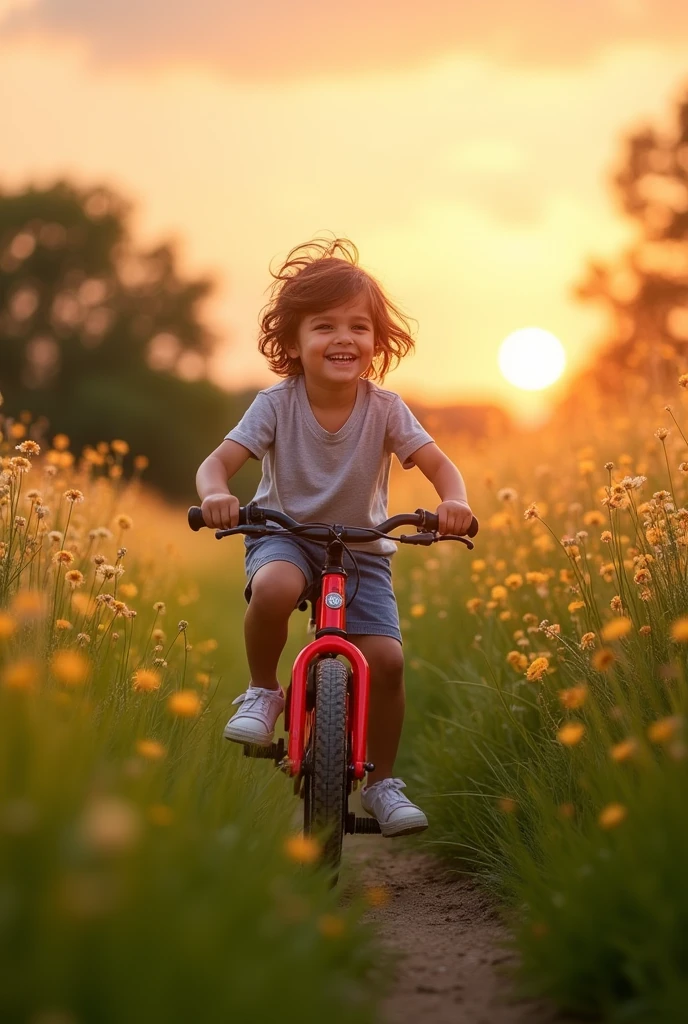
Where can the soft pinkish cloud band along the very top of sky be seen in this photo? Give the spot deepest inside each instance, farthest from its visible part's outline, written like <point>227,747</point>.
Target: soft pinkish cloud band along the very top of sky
<point>270,39</point>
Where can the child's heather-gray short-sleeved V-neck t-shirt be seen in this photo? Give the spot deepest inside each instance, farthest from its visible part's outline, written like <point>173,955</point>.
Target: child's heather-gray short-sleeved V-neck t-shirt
<point>318,477</point>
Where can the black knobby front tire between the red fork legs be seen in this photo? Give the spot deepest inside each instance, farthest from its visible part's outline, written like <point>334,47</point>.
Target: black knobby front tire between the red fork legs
<point>326,795</point>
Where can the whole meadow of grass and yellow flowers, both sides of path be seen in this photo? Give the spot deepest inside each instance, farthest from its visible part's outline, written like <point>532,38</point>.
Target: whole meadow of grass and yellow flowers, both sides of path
<point>149,873</point>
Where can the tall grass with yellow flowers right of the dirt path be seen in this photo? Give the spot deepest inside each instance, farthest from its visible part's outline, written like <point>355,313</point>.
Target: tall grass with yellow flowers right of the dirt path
<point>549,730</point>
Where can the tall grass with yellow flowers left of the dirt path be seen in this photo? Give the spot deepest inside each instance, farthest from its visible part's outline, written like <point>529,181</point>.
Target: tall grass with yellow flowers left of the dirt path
<point>148,873</point>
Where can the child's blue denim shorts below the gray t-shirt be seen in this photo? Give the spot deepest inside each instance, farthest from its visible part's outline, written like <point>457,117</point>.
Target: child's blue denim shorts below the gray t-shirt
<point>373,611</point>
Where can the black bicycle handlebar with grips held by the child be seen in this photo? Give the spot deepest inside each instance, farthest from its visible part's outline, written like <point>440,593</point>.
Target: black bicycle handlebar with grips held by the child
<point>253,523</point>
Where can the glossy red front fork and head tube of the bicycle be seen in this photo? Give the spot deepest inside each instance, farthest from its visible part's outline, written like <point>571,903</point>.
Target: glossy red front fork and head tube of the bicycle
<point>330,615</point>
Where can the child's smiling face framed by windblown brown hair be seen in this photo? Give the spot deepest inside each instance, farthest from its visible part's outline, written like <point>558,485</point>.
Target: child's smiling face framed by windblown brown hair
<point>336,347</point>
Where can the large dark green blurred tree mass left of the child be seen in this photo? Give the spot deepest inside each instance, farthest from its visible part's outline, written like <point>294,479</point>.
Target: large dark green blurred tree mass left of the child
<point>104,339</point>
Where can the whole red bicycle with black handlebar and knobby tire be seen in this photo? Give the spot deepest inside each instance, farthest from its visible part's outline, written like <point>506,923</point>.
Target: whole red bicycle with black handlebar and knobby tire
<point>326,712</point>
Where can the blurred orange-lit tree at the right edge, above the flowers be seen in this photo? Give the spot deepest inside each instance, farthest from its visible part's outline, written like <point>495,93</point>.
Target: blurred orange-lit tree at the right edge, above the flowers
<point>646,291</point>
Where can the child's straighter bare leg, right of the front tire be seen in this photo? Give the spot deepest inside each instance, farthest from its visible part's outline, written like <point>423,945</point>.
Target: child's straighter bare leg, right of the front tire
<point>385,719</point>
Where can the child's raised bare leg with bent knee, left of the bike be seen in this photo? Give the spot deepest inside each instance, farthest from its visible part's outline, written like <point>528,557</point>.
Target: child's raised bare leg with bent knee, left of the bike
<point>276,588</point>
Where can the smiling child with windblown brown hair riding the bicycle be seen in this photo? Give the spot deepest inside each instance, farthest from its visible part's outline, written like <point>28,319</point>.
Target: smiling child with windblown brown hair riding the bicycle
<point>326,436</point>
